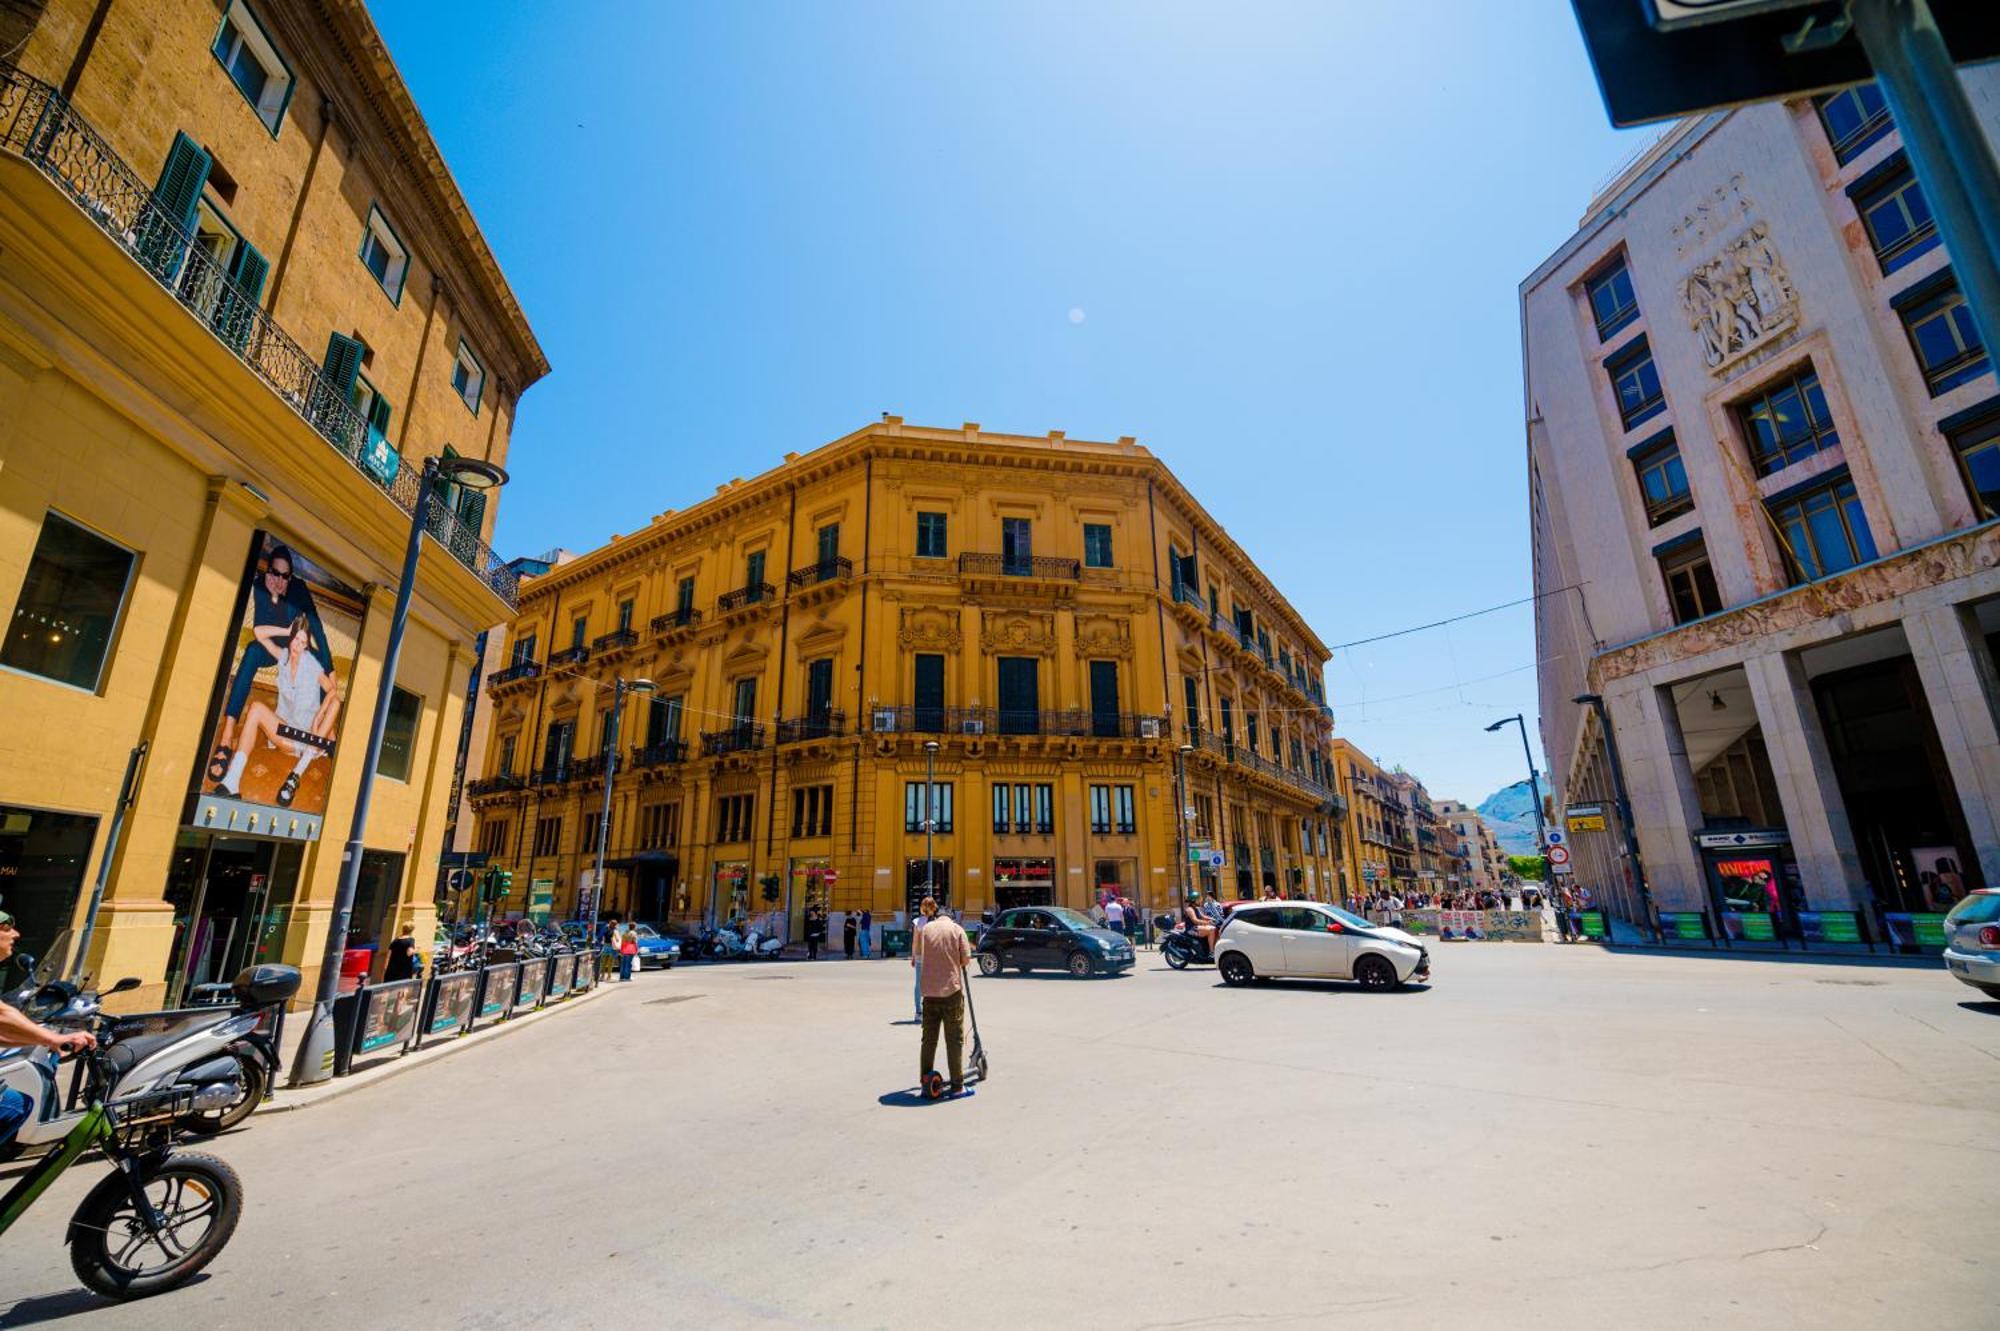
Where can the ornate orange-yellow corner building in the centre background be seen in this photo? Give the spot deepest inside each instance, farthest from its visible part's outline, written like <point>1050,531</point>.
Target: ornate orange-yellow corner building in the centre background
<point>1023,619</point>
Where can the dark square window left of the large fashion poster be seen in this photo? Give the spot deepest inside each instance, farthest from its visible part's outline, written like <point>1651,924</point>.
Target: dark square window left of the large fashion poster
<point>69,607</point>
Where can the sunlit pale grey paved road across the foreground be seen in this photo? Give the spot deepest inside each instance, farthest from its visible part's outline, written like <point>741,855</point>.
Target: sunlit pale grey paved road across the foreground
<point>1545,1138</point>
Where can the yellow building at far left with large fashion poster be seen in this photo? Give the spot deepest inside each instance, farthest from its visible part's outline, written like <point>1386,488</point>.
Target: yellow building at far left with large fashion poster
<point>241,303</point>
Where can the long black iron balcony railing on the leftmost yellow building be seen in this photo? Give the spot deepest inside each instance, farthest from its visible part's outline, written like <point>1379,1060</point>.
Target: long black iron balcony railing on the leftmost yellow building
<point>43,129</point>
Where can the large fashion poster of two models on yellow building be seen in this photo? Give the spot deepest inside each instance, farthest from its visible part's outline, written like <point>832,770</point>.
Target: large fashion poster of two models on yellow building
<point>281,696</point>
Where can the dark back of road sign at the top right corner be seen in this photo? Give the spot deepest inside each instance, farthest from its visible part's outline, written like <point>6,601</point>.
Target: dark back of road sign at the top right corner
<point>1647,73</point>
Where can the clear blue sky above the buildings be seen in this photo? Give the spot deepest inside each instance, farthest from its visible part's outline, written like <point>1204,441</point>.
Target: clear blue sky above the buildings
<point>1293,235</point>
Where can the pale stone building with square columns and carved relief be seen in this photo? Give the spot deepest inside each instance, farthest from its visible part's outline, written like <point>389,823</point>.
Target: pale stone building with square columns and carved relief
<point>1765,469</point>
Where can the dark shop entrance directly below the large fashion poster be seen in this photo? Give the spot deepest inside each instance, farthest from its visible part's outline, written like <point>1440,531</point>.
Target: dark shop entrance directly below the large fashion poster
<point>233,898</point>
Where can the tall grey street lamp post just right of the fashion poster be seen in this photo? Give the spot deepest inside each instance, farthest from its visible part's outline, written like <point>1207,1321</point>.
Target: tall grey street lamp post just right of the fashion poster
<point>317,1050</point>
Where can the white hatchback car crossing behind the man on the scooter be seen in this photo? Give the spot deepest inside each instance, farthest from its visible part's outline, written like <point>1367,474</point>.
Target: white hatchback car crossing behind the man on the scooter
<point>1311,940</point>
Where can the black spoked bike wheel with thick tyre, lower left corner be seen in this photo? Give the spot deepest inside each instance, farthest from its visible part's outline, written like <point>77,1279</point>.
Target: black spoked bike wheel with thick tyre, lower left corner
<point>119,1256</point>
